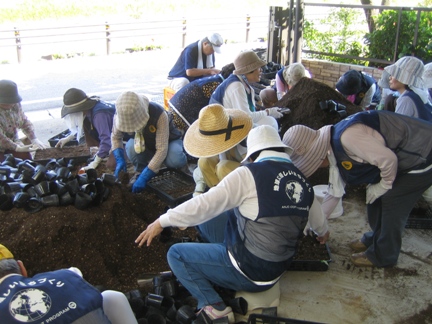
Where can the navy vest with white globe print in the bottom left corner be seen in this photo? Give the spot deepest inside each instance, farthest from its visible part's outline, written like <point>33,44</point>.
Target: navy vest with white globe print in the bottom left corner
<point>56,297</point>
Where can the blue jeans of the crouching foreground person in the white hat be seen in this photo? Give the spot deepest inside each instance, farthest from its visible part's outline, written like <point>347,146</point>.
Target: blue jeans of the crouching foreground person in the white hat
<point>200,265</point>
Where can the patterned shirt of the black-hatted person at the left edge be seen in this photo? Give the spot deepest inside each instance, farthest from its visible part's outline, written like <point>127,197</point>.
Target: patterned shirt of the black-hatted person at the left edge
<point>12,120</point>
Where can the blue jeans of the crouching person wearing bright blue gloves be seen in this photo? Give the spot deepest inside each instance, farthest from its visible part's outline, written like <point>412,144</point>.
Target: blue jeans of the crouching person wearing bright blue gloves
<point>176,158</point>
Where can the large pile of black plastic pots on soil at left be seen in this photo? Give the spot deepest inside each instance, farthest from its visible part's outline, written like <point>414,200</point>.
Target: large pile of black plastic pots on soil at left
<point>32,186</point>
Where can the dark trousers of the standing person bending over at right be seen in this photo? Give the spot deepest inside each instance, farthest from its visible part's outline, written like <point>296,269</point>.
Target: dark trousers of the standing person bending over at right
<point>388,215</point>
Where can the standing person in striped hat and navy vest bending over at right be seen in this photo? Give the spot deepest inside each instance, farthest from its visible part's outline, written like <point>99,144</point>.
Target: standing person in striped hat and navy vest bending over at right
<point>389,152</point>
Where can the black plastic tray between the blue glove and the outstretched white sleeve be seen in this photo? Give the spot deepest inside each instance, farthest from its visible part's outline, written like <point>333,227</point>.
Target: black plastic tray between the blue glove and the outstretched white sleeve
<point>172,186</point>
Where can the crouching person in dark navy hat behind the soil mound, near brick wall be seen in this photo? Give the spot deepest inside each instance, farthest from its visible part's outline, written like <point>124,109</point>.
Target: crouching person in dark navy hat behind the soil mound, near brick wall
<point>359,88</point>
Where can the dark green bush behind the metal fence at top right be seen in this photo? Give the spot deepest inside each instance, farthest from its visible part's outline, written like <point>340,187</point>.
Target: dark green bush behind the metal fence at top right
<point>383,40</point>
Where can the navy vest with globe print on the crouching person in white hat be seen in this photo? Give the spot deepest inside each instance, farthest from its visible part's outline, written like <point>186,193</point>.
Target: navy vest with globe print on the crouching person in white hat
<point>263,247</point>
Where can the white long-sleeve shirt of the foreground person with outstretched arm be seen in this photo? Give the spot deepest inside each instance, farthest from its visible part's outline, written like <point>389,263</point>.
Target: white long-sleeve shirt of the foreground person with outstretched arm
<point>237,189</point>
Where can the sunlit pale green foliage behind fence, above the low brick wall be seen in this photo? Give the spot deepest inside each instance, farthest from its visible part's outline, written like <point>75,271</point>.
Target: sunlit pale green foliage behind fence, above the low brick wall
<point>341,36</point>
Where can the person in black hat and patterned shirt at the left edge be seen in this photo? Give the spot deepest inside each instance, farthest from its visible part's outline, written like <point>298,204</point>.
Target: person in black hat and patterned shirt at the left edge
<point>12,119</point>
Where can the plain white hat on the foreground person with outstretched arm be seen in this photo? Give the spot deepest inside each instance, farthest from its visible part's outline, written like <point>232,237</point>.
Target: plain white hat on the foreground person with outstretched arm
<point>264,137</point>
